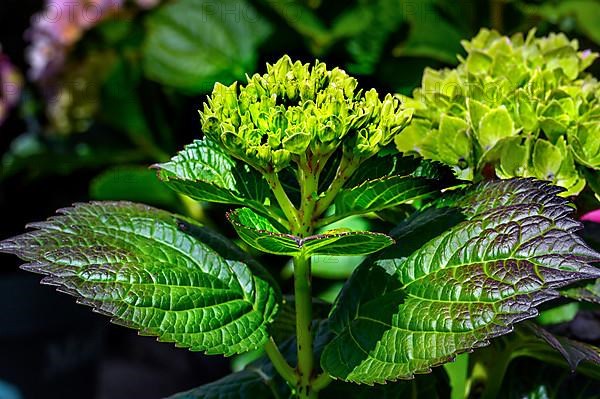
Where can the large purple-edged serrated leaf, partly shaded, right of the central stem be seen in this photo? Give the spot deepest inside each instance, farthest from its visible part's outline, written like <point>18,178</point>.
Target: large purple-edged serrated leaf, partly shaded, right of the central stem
<point>401,314</point>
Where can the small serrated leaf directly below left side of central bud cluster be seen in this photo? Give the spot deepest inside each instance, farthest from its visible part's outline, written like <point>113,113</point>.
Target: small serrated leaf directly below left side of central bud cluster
<point>203,171</point>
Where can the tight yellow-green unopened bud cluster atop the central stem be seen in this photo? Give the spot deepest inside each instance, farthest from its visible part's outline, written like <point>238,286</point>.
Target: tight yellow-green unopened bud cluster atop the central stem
<point>296,111</point>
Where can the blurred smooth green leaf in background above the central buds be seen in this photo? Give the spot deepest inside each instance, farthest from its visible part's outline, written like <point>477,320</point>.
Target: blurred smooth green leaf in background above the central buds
<point>193,43</point>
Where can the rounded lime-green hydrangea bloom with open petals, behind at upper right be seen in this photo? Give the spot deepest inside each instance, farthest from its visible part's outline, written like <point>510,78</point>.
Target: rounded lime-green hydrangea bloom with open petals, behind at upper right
<point>521,104</point>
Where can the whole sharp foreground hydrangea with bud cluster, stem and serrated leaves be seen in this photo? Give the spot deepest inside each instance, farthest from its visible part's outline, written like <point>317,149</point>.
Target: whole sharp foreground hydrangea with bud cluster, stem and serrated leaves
<point>294,150</point>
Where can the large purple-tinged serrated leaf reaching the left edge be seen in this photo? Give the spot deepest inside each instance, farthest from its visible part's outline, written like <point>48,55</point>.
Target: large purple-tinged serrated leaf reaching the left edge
<point>148,270</point>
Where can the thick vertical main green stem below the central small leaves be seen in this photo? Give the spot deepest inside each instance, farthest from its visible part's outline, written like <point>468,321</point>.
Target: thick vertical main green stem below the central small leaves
<point>303,300</point>
